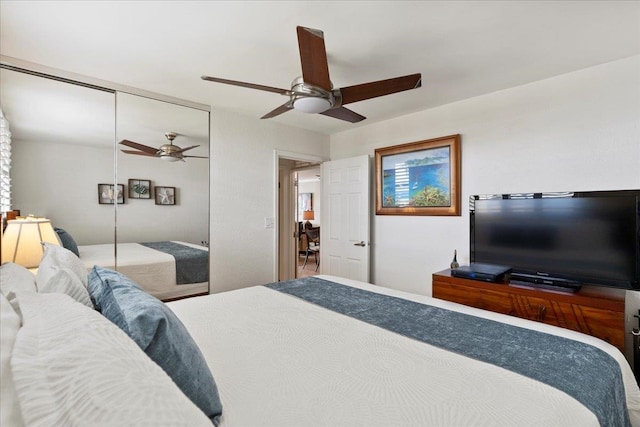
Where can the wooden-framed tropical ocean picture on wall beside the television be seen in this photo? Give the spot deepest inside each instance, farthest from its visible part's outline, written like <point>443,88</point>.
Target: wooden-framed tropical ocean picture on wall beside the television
<point>419,178</point>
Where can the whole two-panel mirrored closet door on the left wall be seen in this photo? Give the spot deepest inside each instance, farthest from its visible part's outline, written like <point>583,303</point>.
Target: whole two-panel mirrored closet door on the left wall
<point>64,143</point>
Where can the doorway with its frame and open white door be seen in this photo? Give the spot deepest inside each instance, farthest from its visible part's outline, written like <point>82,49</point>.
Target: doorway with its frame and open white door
<point>345,193</point>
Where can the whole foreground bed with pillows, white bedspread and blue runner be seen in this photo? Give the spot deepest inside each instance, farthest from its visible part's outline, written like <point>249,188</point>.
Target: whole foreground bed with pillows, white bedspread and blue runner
<point>318,351</point>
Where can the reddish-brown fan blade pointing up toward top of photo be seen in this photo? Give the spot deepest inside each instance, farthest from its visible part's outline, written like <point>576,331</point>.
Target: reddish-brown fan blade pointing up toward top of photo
<point>313,57</point>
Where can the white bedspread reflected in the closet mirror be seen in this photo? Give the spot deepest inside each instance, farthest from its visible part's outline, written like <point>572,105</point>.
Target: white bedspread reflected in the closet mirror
<point>153,270</point>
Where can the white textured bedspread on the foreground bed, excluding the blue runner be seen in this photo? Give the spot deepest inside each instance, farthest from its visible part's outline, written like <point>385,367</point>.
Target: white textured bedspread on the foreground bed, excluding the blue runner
<point>280,361</point>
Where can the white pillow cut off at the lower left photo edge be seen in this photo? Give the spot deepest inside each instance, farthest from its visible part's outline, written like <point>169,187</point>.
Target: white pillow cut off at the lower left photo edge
<point>9,326</point>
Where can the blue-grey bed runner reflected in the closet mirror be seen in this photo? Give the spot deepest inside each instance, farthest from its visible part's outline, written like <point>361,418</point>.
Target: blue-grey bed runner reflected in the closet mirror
<point>192,265</point>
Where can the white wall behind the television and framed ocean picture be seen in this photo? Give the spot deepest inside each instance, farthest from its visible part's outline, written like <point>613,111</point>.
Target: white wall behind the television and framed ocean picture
<point>578,131</point>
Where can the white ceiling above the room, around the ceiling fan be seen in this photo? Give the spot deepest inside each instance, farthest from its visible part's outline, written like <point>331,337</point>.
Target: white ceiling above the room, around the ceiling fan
<point>462,48</point>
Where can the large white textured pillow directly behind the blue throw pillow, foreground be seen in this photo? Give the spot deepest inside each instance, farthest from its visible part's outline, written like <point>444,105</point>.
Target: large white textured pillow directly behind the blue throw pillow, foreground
<point>71,366</point>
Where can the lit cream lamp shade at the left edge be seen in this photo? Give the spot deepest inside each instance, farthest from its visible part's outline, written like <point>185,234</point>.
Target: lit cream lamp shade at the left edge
<point>22,241</point>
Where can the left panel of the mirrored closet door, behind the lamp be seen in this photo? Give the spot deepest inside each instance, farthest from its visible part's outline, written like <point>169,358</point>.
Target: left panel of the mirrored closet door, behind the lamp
<point>62,139</point>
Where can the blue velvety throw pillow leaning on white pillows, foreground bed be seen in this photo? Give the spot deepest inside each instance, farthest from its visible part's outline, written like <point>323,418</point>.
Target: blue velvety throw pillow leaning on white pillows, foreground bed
<point>159,332</point>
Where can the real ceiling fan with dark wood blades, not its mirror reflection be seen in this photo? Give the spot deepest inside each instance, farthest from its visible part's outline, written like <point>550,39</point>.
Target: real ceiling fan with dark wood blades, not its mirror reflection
<point>314,92</point>
